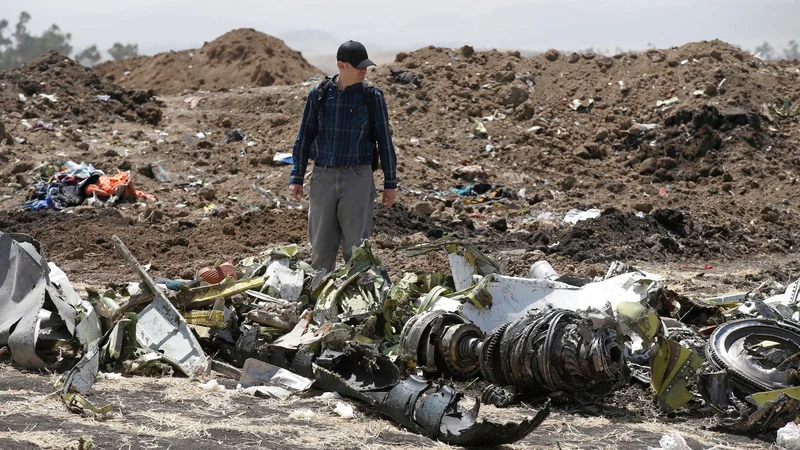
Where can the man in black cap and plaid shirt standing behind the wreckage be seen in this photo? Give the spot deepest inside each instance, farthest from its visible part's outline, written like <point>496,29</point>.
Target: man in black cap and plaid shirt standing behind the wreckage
<point>345,131</point>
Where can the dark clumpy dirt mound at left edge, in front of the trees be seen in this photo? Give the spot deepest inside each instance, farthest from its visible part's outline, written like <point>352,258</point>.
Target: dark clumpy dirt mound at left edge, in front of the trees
<point>53,87</point>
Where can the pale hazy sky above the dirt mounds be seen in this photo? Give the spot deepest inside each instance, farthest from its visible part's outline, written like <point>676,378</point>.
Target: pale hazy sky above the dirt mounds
<point>161,25</point>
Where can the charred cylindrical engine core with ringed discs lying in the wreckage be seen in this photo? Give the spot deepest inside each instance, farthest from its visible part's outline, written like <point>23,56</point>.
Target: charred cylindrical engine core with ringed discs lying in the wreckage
<point>541,353</point>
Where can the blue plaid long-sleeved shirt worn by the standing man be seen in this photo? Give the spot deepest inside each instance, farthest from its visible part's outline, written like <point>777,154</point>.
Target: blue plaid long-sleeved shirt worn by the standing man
<point>341,136</point>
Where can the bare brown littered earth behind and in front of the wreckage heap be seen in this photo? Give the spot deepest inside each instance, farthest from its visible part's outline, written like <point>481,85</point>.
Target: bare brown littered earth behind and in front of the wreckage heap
<point>723,184</point>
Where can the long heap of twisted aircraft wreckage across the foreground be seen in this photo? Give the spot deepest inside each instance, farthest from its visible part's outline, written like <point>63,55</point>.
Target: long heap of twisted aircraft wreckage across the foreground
<point>403,345</point>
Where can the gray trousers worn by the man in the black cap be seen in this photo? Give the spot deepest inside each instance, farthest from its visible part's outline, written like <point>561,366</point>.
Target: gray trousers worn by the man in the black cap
<point>340,212</point>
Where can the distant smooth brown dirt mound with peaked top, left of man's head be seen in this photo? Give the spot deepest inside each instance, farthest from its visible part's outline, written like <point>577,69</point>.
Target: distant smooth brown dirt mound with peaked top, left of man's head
<point>242,57</point>
